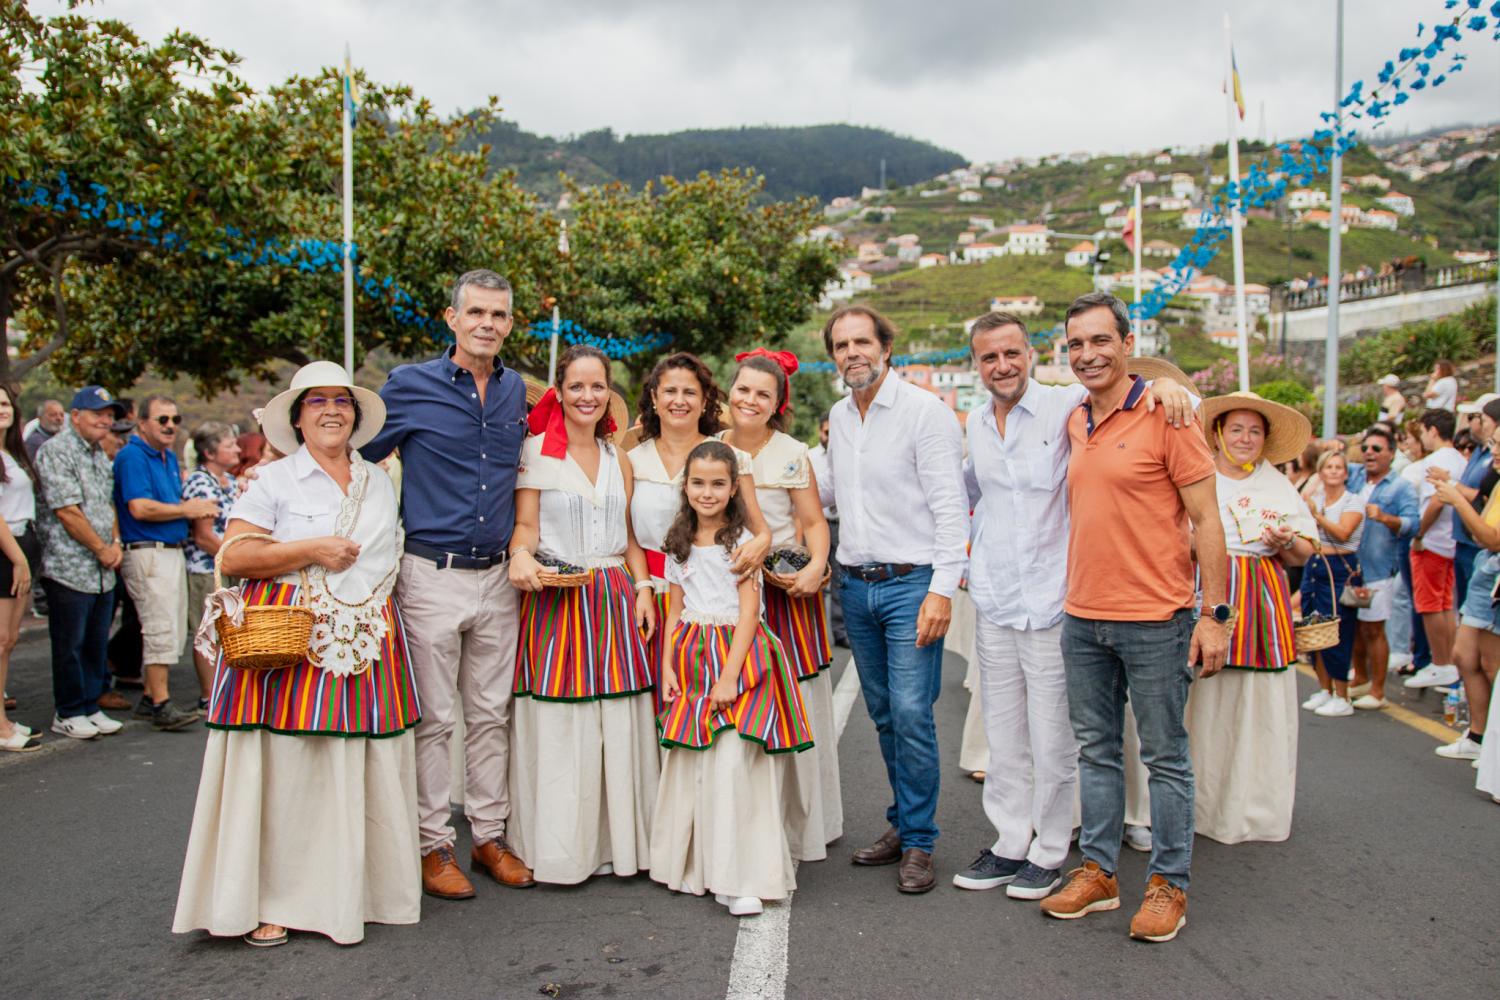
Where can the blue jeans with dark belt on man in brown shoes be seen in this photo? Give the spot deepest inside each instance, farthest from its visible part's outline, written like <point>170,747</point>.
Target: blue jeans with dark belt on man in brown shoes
<point>901,686</point>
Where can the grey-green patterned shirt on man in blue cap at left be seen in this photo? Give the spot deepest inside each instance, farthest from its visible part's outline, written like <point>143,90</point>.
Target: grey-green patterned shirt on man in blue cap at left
<point>76,475</point>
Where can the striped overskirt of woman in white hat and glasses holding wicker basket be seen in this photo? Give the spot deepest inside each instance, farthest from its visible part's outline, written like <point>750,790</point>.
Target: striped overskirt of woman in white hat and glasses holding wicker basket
<point>307,701</point>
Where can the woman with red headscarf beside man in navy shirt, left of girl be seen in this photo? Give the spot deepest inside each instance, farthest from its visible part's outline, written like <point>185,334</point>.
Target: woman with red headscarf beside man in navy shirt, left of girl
<point>584,744</point>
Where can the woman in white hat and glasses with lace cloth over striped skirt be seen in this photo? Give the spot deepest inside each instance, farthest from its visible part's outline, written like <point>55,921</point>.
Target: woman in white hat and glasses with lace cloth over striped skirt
<point>307,813</point>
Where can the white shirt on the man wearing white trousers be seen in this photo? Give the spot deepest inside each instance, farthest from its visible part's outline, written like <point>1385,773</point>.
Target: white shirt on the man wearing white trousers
<point>1018,487</point>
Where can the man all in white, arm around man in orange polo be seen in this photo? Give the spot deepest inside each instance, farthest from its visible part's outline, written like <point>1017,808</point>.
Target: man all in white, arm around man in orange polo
<point>1016,475</point>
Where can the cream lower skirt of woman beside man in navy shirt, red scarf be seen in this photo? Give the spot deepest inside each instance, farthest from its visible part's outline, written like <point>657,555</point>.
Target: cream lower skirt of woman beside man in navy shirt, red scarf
<point>583,785</point>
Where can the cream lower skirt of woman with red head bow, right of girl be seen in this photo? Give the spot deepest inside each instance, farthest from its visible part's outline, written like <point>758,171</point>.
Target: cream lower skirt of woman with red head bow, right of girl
<point>812,800</point>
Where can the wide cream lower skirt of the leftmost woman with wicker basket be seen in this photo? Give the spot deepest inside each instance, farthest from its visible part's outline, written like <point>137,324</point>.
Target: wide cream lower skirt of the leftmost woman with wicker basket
<point>311,833</point>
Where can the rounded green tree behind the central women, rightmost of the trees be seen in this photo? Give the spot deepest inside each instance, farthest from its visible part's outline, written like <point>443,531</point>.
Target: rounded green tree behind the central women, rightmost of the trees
<point>698,260</point>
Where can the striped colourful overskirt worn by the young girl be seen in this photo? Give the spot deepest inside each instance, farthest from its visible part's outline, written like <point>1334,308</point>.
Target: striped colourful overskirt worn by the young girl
<point>767,711</point>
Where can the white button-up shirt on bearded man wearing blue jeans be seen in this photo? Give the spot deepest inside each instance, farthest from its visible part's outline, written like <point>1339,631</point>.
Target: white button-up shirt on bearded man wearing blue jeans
<point>898,481</point>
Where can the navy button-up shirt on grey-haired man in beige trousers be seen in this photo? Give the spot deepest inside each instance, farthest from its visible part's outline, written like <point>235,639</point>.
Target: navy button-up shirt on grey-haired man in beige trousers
<point>458,457</point>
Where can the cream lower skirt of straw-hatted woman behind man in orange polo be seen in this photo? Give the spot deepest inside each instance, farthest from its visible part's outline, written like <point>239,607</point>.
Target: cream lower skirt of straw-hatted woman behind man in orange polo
<point>1243,729</point>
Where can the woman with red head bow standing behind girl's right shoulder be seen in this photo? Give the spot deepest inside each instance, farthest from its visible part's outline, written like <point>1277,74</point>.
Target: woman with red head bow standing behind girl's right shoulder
<point>761,412</point>
